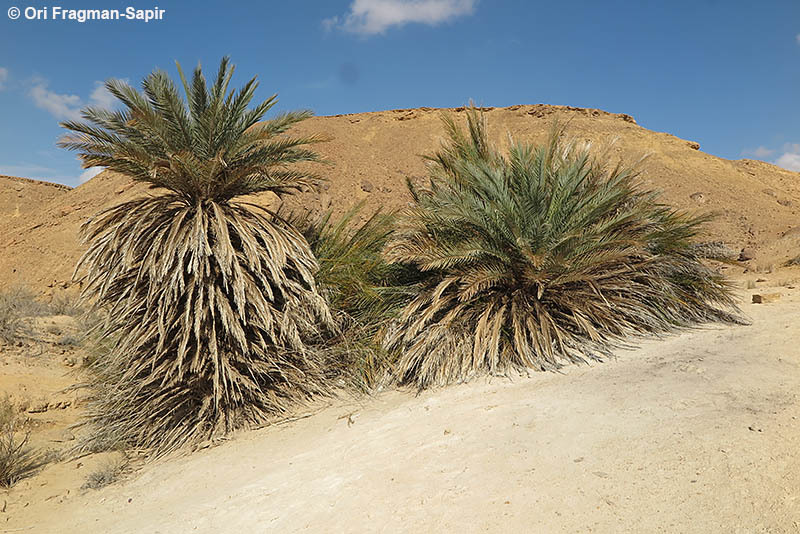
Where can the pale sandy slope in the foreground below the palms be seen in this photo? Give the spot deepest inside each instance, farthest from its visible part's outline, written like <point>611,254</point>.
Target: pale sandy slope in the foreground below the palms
<point>692,433</point>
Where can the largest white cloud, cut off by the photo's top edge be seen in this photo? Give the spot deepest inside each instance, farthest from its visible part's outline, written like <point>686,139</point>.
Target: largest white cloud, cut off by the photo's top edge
<point>370,17</point>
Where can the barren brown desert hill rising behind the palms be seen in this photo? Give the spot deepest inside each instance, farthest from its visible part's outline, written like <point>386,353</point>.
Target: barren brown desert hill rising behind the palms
<point>372,154</point>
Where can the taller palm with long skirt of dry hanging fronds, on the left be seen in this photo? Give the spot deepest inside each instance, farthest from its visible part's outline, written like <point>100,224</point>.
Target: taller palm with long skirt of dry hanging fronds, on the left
<point>209,297</point>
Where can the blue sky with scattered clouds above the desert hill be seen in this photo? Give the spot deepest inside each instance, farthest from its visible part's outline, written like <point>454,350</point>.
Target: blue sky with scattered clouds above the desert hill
<point>725,73</point>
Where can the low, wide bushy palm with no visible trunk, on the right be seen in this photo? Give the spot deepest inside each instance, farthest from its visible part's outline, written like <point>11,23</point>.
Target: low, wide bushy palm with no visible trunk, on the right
<point>543,256</point>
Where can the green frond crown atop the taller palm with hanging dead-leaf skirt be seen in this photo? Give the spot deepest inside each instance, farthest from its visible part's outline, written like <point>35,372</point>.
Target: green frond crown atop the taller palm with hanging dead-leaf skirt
<point>209,146</point>
